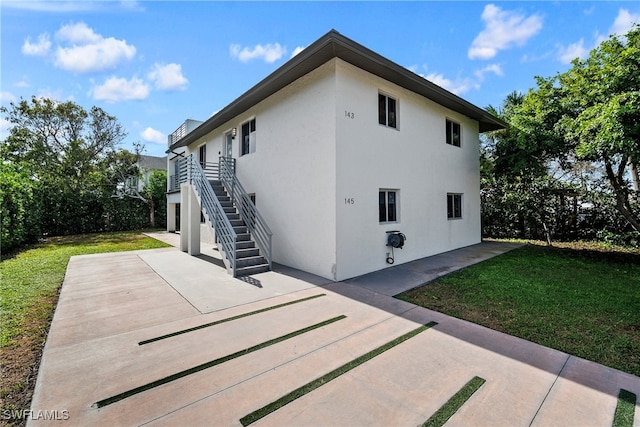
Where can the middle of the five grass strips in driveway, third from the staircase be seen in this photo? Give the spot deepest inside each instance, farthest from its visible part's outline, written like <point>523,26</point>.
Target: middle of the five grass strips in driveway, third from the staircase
<point>318,382</point>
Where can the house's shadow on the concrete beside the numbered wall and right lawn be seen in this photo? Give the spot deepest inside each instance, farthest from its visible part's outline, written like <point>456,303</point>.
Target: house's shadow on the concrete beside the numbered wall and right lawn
<point>378,289</point>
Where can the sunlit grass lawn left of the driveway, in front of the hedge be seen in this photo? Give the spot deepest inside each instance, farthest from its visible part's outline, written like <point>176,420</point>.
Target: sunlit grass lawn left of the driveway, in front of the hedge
<point>30,282</point>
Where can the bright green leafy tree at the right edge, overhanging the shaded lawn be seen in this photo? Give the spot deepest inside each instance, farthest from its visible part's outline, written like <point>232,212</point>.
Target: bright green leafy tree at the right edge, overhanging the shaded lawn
<point>595,111</point>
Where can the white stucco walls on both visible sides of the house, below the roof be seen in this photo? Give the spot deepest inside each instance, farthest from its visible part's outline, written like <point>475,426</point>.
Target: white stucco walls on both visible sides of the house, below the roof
<point>321,157</point>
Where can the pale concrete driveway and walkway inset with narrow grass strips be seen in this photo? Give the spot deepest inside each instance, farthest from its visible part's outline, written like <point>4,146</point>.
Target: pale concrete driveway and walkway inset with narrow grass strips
<point>193,315</point>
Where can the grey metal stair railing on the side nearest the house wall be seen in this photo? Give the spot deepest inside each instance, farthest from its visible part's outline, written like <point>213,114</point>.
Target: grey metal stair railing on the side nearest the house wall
<point>256,224</point>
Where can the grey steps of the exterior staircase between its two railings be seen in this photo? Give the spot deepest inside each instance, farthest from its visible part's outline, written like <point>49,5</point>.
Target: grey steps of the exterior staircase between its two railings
<point>248,257</point>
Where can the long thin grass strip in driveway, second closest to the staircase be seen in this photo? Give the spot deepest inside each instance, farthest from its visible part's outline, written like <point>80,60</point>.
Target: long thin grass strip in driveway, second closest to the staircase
<point>215,362</point>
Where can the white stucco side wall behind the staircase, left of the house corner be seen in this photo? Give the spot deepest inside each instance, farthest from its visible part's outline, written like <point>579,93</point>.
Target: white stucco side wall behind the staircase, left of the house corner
<point>292,172</point>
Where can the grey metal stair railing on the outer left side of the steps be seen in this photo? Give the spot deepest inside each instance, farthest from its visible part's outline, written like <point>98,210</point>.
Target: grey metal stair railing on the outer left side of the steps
<point>226,236</point>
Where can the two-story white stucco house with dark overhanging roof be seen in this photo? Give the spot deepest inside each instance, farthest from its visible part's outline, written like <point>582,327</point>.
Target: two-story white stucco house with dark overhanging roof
<point>338,147</point>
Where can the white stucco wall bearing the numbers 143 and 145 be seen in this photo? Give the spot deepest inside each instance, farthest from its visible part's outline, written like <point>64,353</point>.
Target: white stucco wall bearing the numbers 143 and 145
<point>413,159</point>
